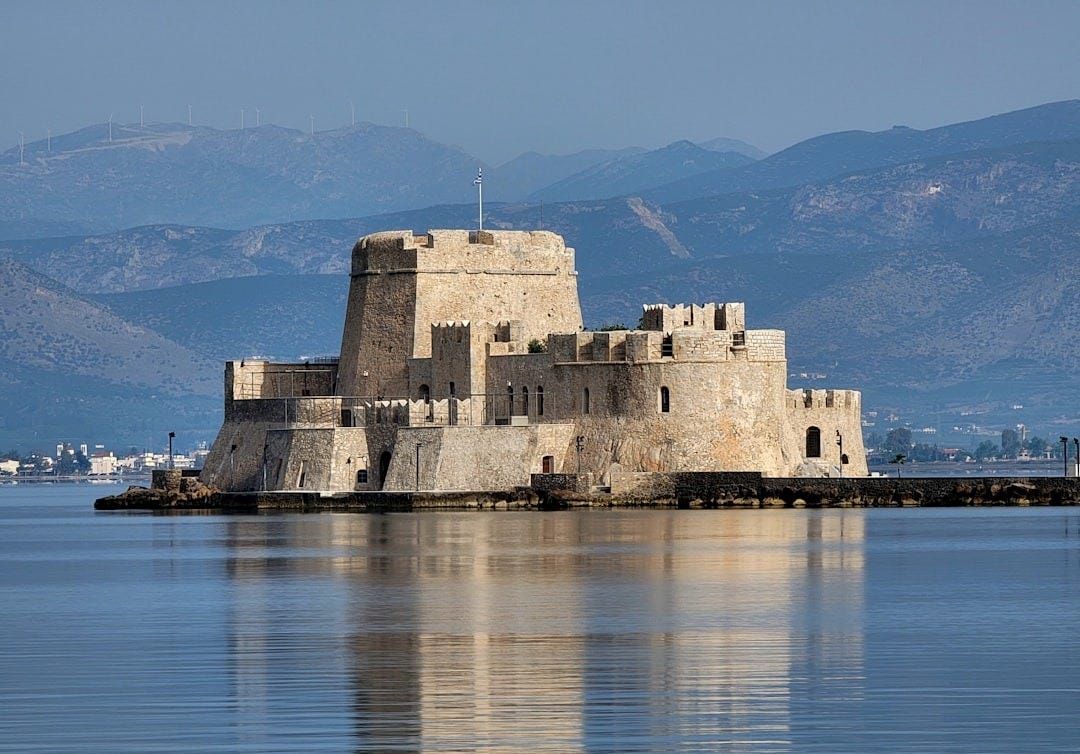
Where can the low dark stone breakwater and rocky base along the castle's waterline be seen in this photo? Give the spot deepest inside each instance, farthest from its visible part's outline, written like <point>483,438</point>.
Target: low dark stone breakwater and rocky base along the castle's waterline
<point>681,490</point>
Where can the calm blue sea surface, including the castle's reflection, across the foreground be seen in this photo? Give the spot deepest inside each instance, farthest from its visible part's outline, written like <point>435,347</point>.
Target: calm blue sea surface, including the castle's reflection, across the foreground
<point>630,631</point>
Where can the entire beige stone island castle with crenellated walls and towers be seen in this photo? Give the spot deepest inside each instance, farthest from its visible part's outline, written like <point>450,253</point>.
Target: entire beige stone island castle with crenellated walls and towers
<point>465,367</point>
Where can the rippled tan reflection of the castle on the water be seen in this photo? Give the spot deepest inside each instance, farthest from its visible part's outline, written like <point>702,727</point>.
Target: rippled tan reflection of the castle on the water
<point>547,632</point>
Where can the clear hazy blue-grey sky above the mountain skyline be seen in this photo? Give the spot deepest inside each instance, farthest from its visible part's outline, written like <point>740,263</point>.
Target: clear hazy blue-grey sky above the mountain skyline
<point>503,78</point>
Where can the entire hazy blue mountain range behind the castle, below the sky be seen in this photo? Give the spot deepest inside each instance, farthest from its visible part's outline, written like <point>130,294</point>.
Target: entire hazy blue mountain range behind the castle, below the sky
<point>933,270</point>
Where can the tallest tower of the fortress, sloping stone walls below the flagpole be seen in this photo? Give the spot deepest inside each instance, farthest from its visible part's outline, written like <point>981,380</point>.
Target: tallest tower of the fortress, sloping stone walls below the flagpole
<point>403,284</point>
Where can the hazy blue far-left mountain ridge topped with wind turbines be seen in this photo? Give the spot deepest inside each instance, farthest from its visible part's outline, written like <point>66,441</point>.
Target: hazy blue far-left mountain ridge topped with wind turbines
<point>197,176</point>
